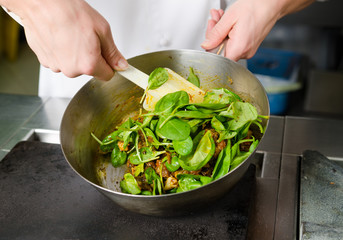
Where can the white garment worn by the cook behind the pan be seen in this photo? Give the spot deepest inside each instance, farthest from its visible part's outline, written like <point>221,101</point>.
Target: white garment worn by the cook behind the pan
<point>138,27</point>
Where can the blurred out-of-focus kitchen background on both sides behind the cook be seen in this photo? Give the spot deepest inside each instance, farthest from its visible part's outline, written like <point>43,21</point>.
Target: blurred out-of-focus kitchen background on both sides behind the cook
<point>300,63</point>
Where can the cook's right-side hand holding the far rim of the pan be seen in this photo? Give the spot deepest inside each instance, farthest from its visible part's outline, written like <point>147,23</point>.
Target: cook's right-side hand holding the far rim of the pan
<point>246,23</point>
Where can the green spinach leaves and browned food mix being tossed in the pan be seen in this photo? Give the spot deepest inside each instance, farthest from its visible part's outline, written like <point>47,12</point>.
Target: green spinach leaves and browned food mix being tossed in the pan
<point>181,146</point>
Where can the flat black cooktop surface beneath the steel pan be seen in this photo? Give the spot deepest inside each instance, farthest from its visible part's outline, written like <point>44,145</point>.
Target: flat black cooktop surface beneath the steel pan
<point>43,198</point>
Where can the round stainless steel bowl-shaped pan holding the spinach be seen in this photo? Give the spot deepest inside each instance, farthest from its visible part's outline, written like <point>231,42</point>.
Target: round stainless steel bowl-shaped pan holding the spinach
<point>100,106</point>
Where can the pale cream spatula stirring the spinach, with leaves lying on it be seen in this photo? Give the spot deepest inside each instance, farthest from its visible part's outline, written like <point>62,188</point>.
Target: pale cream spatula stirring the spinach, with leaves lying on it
<point>175,83</point>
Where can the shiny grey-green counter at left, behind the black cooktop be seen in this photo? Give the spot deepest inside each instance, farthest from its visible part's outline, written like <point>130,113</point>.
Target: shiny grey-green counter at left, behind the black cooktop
<point>21,114</point>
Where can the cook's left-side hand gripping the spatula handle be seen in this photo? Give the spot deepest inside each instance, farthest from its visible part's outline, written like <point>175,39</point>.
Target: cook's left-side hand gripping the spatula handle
<point>69,37</point>
